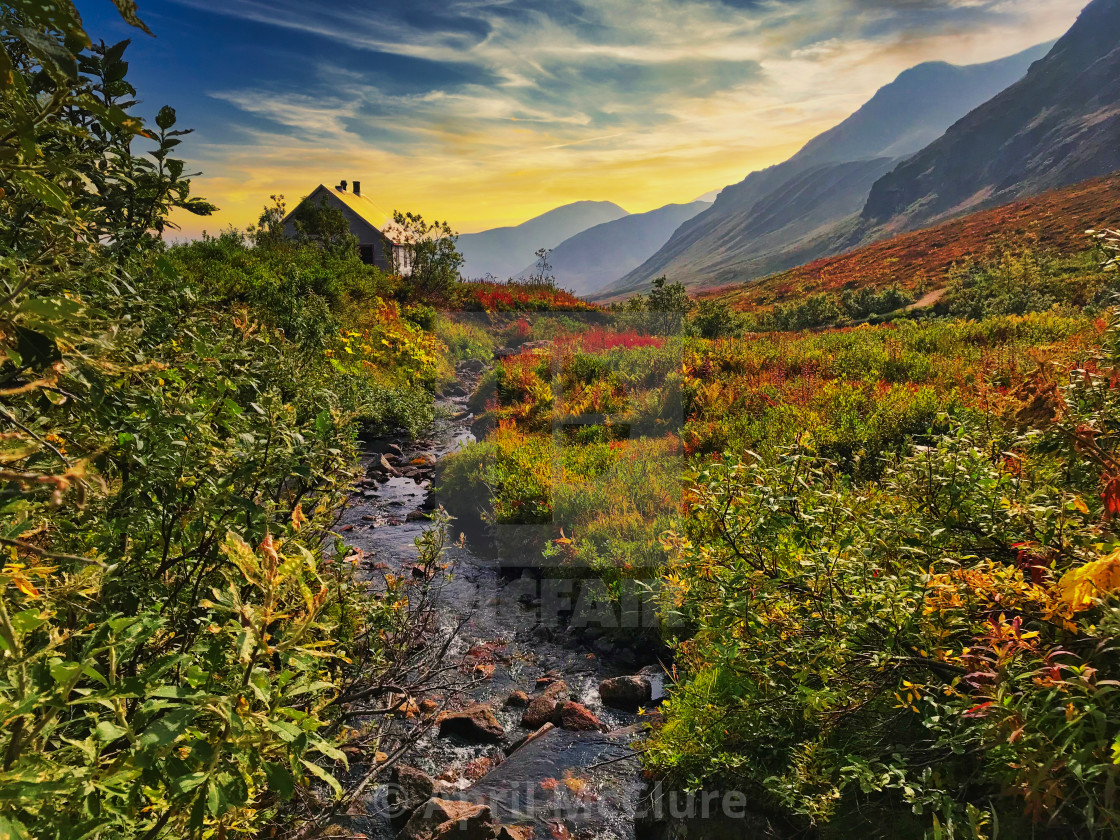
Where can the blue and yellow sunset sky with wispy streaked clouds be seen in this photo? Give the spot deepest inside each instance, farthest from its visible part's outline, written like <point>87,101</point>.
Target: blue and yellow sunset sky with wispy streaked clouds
<point>489,113</point>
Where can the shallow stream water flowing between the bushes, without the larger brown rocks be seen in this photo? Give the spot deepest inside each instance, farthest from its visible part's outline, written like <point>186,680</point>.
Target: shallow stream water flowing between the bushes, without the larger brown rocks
<point>563,785</point>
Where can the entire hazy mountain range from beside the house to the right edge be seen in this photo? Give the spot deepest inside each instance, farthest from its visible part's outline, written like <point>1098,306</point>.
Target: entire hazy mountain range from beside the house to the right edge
<point>939,143</point>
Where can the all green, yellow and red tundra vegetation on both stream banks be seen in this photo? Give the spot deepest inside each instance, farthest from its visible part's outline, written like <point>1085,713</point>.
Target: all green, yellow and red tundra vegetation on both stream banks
<point>882,537</point>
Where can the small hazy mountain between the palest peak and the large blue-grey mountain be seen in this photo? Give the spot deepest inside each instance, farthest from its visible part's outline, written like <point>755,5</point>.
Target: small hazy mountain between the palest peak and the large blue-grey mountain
<point>593,258</point>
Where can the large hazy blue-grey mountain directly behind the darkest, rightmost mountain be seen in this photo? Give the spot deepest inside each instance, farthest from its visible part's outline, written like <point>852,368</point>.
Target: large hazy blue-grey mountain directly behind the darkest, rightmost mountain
<point>826,184</point>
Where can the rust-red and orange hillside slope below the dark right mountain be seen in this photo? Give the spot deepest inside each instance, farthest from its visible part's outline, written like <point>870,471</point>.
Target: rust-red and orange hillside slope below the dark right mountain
<point>918,262</point>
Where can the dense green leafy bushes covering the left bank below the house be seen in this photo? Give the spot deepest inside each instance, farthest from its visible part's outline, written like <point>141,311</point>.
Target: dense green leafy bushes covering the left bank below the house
<point>178,638</point>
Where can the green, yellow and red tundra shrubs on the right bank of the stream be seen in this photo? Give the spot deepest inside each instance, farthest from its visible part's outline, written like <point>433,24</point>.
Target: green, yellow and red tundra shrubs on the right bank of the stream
<point>888,563</point>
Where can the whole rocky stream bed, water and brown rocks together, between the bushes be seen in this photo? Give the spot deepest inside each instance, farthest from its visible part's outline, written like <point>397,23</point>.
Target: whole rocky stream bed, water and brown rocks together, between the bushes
<point>533,749</point>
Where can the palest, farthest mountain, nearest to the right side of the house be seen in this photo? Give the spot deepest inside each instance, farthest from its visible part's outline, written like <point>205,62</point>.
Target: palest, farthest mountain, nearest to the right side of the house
<point>503,251</point>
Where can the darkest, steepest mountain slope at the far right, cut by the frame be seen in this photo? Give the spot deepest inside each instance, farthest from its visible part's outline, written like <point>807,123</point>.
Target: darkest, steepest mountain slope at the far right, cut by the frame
<point>1059,125</point>
